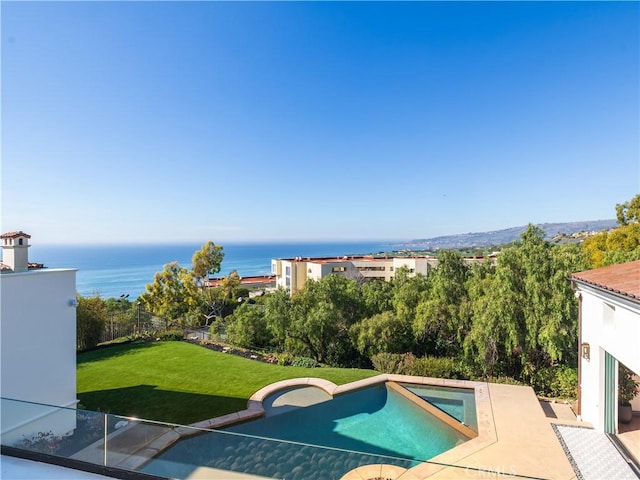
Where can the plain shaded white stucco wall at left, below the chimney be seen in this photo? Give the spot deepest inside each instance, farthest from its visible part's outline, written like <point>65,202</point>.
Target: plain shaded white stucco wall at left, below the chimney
<point>38,336</point>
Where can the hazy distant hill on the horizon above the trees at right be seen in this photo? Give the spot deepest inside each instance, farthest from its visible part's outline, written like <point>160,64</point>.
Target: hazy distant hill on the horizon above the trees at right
<point>508,235</point>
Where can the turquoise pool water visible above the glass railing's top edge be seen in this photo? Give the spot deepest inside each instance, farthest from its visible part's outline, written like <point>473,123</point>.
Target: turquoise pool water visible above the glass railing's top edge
<point>374,420</point>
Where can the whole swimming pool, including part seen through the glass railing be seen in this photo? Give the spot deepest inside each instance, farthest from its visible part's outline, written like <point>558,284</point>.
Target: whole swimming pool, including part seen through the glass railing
<point>324,438</point>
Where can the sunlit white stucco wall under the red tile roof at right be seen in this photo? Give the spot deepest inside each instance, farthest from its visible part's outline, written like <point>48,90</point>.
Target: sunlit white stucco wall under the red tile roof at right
<point>609,323</point>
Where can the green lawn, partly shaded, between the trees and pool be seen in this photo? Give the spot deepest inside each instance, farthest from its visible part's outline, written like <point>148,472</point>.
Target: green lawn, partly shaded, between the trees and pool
<point>179,382</point>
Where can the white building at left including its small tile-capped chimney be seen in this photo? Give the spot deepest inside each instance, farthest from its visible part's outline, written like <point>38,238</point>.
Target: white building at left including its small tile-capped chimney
<point>37,339</point>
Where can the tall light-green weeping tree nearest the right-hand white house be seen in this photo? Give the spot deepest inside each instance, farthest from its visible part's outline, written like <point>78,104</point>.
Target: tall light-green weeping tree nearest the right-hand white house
<point>524,312</point>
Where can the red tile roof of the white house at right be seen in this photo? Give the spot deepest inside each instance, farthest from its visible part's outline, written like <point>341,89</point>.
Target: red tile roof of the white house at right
<point>623,279</point>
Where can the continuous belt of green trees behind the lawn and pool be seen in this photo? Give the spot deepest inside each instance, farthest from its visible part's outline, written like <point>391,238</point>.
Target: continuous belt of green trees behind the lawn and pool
<point>513,315</point>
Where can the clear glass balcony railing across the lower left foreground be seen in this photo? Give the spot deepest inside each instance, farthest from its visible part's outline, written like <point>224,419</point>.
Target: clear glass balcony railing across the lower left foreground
<point>154,448</point>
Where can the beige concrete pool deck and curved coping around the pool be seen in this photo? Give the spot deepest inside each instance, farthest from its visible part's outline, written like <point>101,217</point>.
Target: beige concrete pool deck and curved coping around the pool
<point>515,437</point>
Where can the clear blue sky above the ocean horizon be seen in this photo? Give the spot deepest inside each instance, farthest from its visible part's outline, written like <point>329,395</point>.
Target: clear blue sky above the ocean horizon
<point>238,121</point>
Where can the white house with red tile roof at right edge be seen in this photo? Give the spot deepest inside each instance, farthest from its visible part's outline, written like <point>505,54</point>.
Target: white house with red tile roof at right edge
<point>609,332</point>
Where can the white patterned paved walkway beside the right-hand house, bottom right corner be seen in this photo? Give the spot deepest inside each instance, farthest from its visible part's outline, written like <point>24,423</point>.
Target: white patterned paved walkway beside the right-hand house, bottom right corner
<point>592,454</point>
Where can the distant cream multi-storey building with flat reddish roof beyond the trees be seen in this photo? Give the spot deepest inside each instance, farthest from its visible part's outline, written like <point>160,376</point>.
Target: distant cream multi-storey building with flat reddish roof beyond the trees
<point>292,273</point>
